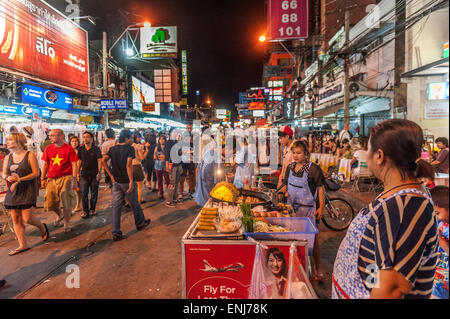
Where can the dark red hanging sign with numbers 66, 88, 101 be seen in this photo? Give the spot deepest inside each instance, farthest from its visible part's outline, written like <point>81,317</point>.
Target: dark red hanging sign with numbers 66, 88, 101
<point>288,19</point>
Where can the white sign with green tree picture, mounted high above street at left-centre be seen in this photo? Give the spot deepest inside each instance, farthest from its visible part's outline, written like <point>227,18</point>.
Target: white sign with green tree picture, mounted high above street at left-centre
<point>159,42</point>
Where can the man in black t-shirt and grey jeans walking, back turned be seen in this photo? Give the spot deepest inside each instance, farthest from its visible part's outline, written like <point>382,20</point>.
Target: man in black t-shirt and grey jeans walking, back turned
<point>121,174</point>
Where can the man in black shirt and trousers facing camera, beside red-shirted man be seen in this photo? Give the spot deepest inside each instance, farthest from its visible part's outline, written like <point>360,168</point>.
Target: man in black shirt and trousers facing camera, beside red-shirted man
<point>90,162</point>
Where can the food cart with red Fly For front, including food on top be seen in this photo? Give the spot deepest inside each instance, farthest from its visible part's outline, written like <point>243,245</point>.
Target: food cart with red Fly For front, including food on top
<point>242,245</point>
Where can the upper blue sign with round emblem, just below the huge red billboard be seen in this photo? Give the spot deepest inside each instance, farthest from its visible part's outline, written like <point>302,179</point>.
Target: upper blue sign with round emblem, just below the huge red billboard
<point>46,97</point>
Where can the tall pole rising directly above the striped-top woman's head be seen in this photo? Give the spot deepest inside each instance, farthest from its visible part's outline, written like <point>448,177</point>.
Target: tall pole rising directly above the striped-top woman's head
<point>399,60</point>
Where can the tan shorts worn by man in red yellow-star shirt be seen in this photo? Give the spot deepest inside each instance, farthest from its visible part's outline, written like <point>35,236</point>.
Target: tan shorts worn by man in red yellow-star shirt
<point>59,191</point>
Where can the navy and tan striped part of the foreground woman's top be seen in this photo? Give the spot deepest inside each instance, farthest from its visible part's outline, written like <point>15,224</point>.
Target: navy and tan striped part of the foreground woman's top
<point>402,234</point>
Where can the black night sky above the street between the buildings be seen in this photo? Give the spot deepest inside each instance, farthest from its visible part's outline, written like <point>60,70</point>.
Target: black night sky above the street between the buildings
<point>220,36</point>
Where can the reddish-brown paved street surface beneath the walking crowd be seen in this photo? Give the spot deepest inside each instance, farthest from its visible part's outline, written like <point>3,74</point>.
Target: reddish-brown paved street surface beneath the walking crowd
<point>147,264</point>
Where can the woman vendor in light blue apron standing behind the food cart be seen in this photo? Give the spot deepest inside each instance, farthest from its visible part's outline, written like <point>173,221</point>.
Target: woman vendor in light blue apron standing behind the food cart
<point>305,183</point>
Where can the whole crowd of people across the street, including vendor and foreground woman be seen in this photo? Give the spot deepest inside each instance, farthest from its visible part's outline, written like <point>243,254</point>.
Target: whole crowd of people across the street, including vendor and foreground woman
<point>398,233</point>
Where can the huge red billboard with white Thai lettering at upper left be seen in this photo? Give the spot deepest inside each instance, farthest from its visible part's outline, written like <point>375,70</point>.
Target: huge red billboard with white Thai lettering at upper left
<point>39,43</point>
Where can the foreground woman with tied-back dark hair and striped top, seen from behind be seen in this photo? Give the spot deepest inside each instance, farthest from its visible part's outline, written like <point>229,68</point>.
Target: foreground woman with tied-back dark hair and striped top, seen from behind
<point>390,248</point>
